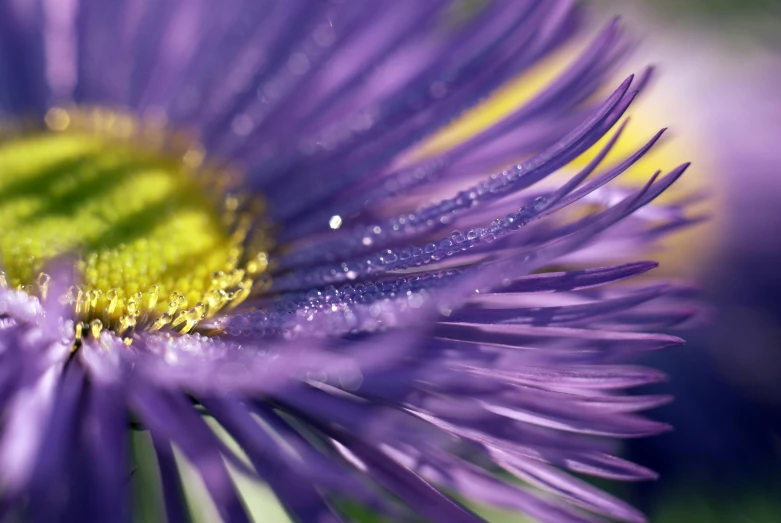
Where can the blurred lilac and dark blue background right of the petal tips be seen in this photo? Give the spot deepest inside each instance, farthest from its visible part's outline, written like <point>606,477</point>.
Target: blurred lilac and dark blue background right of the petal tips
<point>718,89</point>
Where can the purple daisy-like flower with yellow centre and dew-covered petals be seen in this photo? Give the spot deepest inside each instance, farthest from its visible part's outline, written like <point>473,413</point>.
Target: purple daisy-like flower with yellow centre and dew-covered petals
<point>369,325</point>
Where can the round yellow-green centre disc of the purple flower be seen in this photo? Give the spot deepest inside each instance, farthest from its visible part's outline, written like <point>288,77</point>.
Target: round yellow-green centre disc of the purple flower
<point>155,247</point>
